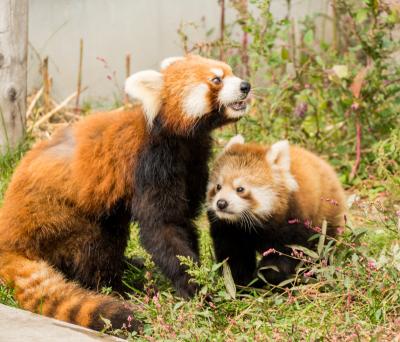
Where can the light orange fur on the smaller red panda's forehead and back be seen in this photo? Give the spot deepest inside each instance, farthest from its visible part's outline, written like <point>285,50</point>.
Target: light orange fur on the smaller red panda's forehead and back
<point>317,182</point>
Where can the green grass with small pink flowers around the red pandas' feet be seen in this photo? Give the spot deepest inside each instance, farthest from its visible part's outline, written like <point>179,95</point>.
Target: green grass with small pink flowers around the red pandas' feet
<point>356,297</point>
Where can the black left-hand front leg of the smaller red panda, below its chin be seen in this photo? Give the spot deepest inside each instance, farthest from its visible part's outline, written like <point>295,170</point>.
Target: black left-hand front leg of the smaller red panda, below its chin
<point>233,243</point>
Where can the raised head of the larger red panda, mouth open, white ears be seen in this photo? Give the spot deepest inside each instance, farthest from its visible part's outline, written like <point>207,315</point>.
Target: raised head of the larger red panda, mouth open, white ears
<point>190,91</point>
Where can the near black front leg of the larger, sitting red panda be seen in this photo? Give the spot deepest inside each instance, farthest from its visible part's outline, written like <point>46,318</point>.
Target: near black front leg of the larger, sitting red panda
<point>162,209</point>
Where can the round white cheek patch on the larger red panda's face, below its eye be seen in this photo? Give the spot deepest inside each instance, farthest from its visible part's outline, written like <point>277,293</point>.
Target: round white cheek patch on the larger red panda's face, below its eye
<point>196,103</point>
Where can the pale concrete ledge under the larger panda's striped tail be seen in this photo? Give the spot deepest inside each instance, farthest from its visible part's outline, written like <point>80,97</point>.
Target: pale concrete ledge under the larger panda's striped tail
<point>20,326</point>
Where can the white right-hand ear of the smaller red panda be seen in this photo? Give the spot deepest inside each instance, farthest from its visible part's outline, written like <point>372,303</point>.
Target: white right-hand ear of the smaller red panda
<point>278,157</point>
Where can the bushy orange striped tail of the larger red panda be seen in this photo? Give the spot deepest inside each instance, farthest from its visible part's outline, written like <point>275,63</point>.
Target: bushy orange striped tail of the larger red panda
<point>40,288</point>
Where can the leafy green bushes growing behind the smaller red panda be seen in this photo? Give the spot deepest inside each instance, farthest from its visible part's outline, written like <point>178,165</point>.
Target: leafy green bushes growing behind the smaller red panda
<point>312,90</point>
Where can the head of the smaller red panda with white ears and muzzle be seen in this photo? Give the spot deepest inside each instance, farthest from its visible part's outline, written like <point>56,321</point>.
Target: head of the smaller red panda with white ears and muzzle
<point>250,182</point>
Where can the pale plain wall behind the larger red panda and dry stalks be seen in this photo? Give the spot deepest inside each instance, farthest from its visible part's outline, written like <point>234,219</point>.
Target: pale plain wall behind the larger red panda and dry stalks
<point>147,29</point>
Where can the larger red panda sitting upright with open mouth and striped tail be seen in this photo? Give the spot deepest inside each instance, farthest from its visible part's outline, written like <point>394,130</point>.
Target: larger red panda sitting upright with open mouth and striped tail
<point>65,220</point>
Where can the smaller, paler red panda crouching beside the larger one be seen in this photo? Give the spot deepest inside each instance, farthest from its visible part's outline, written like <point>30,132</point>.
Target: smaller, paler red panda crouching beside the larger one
<point>262,198</point>
